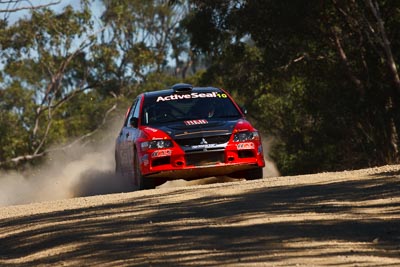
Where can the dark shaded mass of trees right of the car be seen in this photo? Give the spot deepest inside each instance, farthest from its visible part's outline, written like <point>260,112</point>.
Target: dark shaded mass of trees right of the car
<point>321,77</point>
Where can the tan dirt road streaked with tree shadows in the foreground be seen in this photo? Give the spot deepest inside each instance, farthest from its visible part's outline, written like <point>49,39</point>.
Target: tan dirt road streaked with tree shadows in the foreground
<point>346,218</point>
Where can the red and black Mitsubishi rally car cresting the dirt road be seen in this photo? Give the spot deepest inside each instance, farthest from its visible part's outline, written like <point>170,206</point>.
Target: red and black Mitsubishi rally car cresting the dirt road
<point>187,133</point>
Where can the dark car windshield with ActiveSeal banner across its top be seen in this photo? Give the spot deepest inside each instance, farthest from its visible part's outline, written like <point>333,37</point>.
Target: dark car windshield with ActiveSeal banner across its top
<point>183,107</point>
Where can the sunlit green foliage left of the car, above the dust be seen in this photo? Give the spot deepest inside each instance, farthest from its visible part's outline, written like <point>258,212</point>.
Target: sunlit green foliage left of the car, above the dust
<point>62,71</point>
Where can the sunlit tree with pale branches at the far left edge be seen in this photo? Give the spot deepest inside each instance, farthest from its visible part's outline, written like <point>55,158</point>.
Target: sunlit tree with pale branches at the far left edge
<point>45,61</point>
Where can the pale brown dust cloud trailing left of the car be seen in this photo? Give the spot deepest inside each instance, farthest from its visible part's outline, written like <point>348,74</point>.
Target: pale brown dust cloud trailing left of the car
<point>82,170</point>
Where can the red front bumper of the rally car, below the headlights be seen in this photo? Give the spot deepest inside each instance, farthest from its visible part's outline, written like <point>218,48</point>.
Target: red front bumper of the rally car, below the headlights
<point>178,164</point>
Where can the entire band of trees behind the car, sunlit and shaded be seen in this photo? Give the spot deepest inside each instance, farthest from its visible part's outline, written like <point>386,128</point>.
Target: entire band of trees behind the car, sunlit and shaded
<point>317,77</point>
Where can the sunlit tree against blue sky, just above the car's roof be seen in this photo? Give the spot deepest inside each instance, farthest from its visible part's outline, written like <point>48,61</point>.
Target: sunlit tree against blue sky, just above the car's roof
<point>145,34</point>
